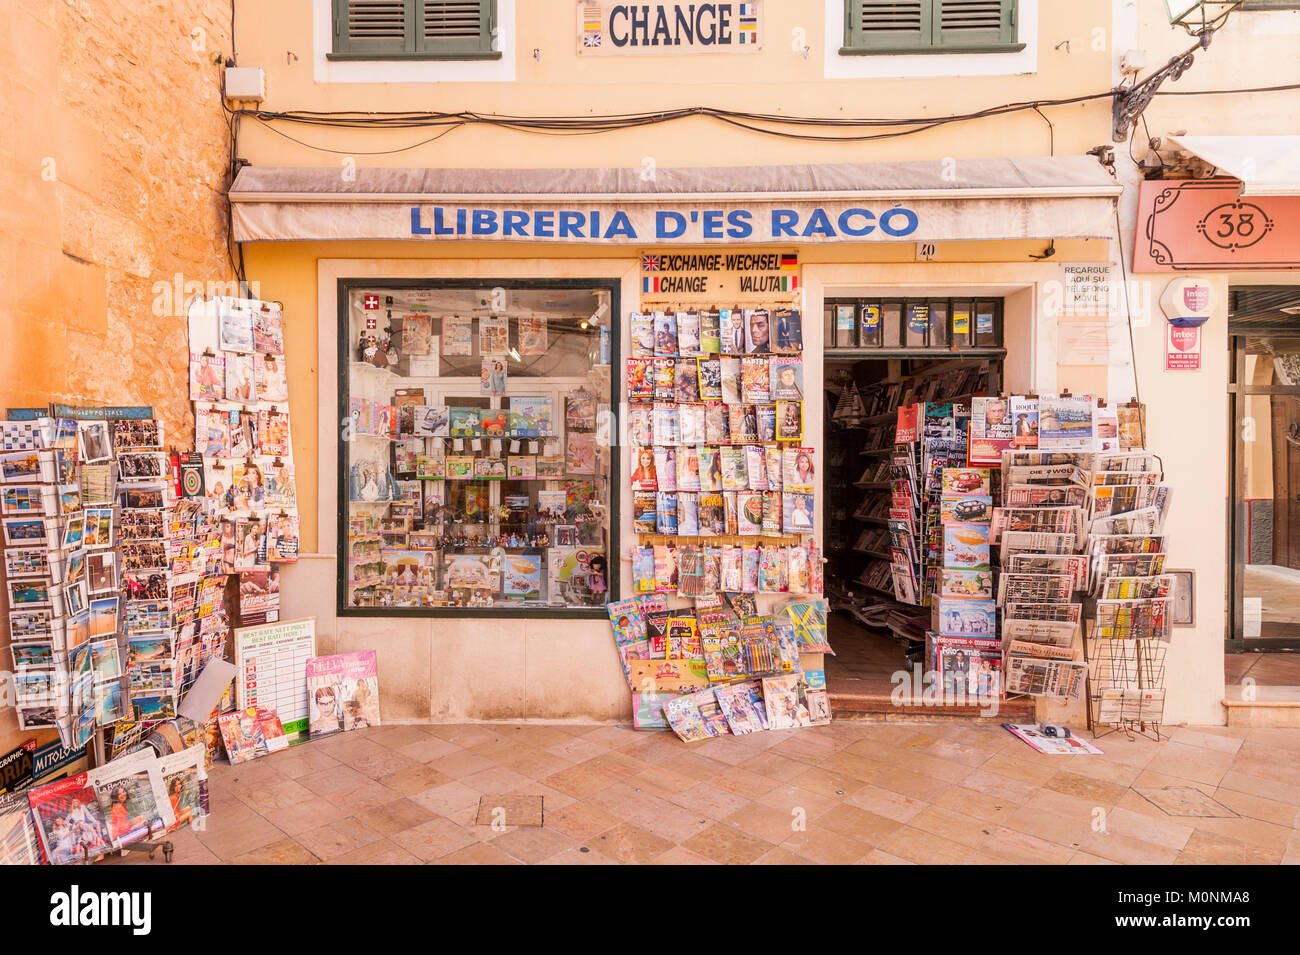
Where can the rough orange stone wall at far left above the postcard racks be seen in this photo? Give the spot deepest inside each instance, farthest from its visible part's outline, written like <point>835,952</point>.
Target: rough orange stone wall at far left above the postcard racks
<point>114,154</point>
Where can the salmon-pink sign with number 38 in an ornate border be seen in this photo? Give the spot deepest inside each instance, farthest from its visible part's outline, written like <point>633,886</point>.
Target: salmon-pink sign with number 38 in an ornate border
<point>1207,224</point>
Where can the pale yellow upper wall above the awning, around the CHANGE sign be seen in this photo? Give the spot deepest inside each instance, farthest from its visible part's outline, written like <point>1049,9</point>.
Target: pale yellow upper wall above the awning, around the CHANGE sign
<point>777,80</point>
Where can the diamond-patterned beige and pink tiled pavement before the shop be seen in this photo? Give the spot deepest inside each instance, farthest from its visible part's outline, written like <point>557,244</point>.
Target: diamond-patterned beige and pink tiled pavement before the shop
<point>848,793</point>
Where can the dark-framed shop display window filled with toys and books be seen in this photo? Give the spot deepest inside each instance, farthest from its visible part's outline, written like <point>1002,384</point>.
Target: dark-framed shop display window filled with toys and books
<point>475,462</point>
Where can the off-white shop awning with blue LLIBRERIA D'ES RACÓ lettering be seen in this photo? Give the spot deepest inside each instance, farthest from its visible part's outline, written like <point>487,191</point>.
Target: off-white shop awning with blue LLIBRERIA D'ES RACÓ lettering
<point>947,201</point>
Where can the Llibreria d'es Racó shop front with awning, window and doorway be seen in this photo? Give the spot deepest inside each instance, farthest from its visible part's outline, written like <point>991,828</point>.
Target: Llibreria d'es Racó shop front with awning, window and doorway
<point>538,393</point>
